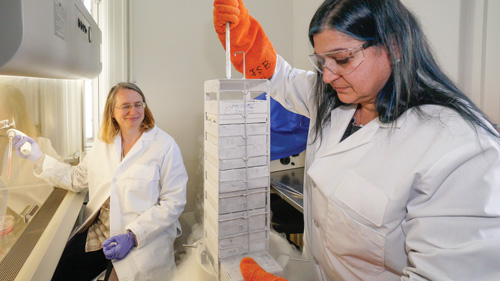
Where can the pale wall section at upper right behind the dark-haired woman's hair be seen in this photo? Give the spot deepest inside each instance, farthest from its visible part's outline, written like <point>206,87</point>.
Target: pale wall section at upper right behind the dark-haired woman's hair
<point>465,39</point>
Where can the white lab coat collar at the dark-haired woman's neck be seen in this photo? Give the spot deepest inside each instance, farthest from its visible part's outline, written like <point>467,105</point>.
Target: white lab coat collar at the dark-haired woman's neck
<point>340,119</point>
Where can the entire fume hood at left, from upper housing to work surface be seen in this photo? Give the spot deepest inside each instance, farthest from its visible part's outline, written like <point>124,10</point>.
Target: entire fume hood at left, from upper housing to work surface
<point>41,39</point>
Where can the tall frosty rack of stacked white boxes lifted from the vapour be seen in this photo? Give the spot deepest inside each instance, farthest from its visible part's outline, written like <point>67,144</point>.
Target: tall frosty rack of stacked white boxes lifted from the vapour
<point>236,176</point>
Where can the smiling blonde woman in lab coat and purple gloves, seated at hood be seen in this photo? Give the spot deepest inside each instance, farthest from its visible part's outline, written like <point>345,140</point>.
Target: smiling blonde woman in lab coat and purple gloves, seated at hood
<point>137,190</point>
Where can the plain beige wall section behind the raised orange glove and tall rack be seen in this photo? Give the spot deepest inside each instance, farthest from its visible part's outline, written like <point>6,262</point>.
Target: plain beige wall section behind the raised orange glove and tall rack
<point>174,50</point>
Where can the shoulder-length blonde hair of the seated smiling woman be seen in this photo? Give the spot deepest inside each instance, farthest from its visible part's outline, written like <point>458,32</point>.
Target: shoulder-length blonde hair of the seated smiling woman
<point>109,128</point>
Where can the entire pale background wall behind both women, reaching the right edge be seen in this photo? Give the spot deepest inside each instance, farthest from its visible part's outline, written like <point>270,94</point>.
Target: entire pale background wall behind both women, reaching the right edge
<point>169,48</point>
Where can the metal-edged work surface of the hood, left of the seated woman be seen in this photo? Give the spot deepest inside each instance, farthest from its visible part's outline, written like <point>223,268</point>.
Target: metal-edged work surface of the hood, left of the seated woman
<point>32,248</point>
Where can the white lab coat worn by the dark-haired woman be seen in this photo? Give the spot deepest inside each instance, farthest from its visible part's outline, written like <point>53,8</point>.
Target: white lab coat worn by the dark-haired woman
<point>414,201</point>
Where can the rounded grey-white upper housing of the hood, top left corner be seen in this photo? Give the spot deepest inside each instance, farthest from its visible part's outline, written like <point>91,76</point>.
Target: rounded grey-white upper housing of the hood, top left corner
<point>49,39</point>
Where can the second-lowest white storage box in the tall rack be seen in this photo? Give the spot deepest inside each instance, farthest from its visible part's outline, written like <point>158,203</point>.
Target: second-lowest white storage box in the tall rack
<point>235,223</point>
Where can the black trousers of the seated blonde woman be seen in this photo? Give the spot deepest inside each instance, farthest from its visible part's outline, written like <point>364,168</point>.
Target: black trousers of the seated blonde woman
<point>77,265</point>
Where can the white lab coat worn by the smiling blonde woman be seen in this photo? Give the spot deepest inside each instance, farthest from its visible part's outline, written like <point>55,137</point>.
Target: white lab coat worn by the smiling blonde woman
<point>147,191</point>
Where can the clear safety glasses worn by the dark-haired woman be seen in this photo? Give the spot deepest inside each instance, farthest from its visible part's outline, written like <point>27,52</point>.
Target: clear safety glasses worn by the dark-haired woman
<point>341,62</point>
